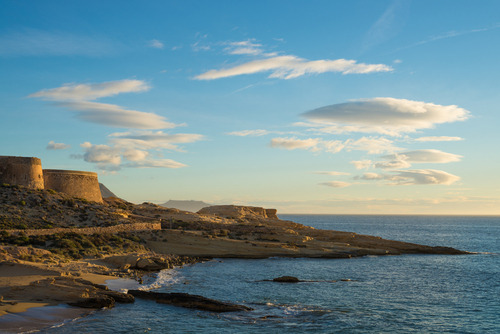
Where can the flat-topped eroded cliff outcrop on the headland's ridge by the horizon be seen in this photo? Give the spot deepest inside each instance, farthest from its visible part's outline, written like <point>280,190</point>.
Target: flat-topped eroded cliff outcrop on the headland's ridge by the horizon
<point>239,212</point>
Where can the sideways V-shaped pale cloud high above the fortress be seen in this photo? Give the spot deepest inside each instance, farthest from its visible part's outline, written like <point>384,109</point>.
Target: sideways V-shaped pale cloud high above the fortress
<point>79,97</point>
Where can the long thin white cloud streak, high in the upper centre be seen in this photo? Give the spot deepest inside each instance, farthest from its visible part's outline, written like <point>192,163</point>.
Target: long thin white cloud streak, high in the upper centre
<point>289,67</point>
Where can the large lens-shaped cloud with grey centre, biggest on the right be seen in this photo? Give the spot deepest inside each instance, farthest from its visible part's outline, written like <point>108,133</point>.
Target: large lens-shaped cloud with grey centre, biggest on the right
<point>383,115</point>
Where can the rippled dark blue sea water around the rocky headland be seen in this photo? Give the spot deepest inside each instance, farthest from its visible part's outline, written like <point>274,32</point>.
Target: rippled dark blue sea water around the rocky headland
<point>385,294</point>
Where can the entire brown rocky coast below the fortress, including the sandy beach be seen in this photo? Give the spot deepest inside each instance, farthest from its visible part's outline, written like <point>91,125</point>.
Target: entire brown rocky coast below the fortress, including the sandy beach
<point>39,269</point>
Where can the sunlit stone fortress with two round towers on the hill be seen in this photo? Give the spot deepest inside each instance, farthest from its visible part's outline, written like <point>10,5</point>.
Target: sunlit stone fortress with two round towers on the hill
<point>28,172</point>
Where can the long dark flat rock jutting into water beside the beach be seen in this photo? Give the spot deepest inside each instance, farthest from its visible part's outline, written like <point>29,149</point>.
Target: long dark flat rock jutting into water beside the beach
<point>189,301</point>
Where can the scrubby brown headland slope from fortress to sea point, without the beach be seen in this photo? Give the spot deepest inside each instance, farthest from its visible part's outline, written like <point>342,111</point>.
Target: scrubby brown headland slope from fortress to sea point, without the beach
<point>217,231</point>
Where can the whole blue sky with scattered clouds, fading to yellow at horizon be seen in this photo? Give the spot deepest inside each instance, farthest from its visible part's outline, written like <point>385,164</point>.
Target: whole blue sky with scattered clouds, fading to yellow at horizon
<point>306,106</point>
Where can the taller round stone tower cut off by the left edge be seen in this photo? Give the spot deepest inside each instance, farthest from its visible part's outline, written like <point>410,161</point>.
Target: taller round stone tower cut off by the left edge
<point>23,171</point>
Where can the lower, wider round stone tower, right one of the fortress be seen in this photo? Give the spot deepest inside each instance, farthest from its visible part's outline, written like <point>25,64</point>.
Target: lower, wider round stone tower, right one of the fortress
<point>75,183</point>
